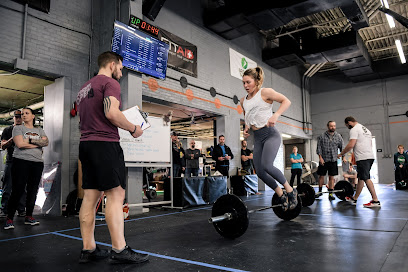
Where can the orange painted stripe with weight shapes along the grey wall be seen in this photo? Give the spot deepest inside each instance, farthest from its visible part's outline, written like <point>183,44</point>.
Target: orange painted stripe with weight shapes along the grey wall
<point>153,86</point>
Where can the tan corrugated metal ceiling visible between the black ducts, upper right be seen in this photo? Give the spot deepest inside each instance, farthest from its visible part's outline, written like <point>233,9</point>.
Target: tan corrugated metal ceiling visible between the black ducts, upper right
<point>378,37</point>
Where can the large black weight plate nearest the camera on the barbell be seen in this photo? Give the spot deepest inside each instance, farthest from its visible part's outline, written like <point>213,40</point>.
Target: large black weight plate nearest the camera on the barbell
<point>235,227</point>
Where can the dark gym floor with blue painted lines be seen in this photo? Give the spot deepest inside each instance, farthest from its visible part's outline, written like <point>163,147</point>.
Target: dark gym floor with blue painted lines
<point>327,236</point>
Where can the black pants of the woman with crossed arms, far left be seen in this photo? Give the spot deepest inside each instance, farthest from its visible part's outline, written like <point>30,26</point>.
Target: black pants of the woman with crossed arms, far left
<point>26,175</point>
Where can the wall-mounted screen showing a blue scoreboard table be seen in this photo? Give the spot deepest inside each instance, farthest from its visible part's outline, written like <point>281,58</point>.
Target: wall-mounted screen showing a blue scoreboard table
<point>140,52</point>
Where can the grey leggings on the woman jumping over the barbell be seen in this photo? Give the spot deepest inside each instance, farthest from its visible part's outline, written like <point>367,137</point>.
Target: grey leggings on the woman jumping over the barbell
<point>267,142</point>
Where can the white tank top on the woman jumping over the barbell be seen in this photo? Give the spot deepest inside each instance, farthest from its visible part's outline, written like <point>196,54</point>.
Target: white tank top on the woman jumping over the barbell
<point>257,111</point>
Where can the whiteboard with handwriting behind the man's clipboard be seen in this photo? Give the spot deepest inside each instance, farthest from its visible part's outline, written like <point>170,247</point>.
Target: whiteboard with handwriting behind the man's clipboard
<point>152,146</point>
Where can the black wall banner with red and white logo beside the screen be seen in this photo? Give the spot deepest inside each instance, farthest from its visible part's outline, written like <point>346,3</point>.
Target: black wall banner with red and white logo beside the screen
<point>182,54</point>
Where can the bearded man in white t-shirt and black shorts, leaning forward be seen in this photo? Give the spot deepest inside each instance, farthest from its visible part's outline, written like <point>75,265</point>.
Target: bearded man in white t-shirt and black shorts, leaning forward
<point>361,142</point>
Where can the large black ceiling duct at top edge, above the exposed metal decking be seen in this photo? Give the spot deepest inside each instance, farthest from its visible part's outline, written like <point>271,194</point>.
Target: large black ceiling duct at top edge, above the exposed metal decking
<point>232,19</point>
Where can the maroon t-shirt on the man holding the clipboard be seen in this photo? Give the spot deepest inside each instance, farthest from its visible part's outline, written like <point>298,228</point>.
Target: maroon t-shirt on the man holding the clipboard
<point>94,124</point>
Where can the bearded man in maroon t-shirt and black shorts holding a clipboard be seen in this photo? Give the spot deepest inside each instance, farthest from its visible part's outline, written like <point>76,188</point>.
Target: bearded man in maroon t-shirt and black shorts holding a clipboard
<point>103,166</point>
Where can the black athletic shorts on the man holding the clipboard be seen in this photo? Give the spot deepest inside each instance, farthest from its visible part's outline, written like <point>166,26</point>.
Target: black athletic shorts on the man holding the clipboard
<point>103,165</point>
